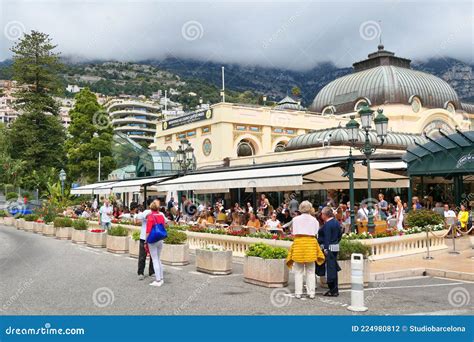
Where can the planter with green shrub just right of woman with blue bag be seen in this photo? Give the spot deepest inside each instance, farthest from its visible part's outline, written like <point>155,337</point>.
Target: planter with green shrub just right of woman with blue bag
<point>175,249</point>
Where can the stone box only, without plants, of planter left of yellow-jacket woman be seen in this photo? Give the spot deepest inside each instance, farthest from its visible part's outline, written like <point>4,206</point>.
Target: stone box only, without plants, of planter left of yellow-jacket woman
<point>266,272</point>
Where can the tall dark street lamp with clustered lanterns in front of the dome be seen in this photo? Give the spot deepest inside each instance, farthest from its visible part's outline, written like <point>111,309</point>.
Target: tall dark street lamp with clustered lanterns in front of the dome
<point>381,125</point>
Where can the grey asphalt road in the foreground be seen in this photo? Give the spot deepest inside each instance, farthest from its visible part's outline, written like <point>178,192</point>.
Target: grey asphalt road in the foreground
<point>45,276</point>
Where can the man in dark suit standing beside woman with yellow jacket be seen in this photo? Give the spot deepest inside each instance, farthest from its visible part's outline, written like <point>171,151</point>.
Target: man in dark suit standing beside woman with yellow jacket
<point>329,236</point>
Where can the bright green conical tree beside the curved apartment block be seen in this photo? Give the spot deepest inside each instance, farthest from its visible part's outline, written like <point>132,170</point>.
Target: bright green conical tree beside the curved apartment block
<point>88,119</point>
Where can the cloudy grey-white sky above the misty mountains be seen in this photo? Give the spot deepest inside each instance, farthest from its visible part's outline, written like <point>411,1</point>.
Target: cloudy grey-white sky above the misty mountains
<point>294,35</point>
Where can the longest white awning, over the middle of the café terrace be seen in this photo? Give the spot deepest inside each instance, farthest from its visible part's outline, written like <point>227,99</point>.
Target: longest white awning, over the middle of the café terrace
<point>287,176</point>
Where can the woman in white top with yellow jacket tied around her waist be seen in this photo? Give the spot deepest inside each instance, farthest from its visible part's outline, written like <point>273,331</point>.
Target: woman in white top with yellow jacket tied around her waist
<point>305,250</point>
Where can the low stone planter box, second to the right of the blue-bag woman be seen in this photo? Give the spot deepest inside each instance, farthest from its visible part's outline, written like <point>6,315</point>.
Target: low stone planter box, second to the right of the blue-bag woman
<point>214,262</point>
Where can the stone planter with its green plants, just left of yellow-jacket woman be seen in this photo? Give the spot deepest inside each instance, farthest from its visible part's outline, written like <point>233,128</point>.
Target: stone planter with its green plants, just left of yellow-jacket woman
<point>266,266</point>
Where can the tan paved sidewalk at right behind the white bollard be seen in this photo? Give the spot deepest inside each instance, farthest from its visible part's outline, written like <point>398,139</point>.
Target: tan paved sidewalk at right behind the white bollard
<point>455,266</point>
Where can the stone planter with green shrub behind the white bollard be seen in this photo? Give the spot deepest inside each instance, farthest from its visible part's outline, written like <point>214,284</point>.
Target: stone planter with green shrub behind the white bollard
<point>346,249</point>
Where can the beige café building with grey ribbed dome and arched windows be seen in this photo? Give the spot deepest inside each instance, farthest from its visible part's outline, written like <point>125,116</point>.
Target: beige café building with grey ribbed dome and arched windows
<point>232,134</point>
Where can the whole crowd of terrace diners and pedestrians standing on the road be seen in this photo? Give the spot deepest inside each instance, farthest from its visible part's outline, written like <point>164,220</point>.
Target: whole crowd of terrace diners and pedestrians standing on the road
<point>316,231</point>
